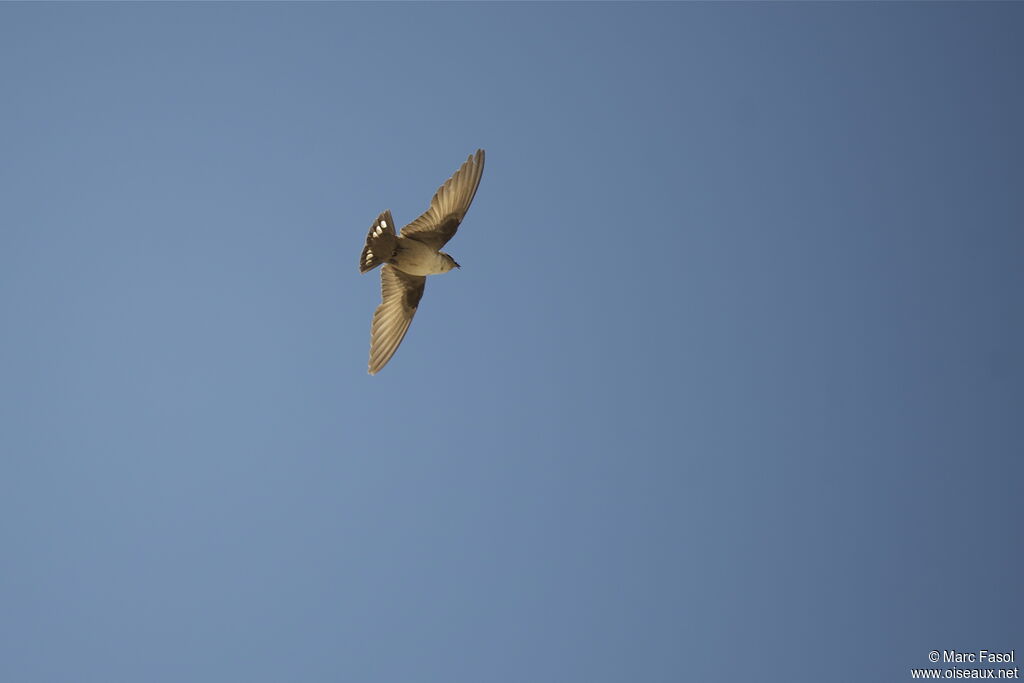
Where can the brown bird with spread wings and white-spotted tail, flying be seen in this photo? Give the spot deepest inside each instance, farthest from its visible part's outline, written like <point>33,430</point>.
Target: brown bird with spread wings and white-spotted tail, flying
<point>412,255</point>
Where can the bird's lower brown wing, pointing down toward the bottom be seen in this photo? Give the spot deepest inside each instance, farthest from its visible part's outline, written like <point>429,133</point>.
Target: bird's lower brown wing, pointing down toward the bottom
<point>401,294</point>
